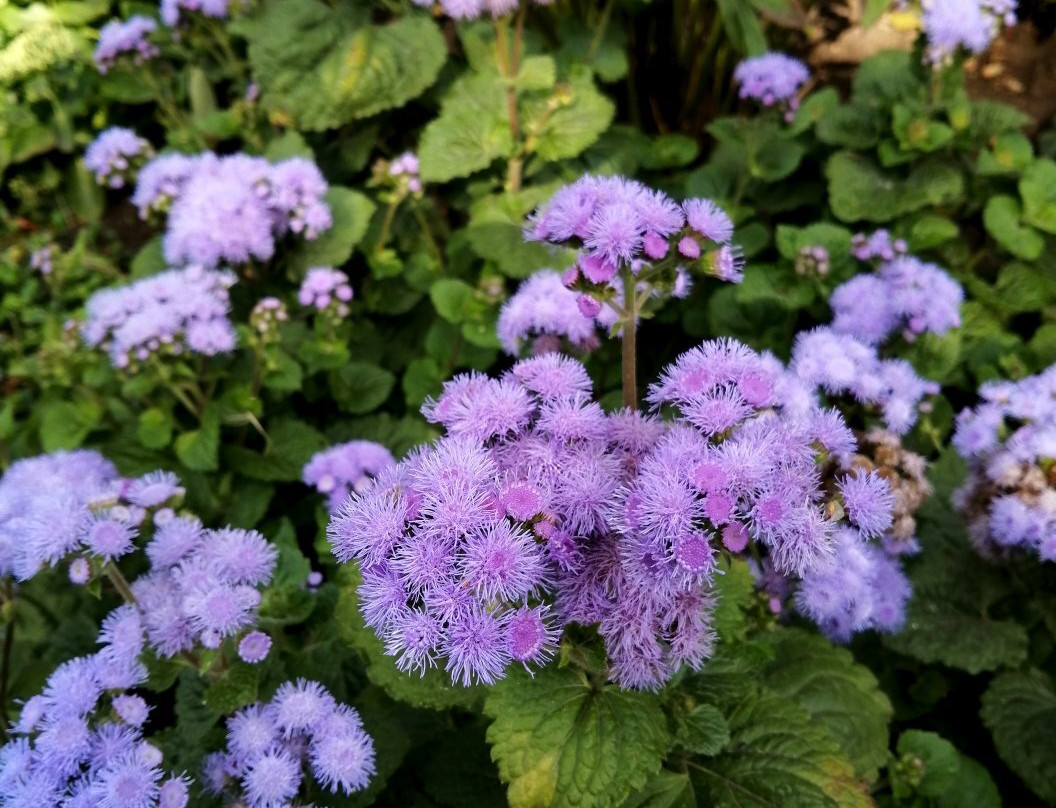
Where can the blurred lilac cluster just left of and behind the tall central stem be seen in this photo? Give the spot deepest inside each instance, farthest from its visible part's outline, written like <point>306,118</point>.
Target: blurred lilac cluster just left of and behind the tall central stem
<point>545,311</point>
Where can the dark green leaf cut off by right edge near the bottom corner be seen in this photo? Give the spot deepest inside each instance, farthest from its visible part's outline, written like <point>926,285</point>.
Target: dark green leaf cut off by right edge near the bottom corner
<point>1020,709</point>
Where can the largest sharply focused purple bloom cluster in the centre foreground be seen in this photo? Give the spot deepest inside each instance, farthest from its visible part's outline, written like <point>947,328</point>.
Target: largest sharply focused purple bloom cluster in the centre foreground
<point>537,510</point>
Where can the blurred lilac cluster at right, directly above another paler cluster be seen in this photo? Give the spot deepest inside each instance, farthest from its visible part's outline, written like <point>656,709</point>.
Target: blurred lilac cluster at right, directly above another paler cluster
<point>906,295</point>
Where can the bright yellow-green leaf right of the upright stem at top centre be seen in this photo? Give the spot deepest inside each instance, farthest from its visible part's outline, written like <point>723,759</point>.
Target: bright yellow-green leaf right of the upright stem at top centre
<point>579,121</point>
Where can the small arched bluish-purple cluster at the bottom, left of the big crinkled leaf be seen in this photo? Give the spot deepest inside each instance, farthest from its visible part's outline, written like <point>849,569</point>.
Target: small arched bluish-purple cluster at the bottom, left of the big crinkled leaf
<point>269,745</point>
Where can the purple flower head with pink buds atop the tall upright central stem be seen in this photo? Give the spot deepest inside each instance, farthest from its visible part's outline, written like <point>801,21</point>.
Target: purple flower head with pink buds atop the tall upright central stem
<point>621,224</point>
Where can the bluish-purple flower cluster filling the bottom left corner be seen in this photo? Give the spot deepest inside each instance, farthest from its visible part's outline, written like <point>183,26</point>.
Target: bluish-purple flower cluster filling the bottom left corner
<point>81,742</point>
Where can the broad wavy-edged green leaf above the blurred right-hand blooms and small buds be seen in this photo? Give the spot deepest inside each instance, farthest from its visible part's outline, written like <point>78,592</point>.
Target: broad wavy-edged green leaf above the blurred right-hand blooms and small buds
<point>859,191</point>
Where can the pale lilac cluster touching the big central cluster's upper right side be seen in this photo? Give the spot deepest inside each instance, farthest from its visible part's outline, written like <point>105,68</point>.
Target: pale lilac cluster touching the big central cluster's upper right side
<point>839,364</point>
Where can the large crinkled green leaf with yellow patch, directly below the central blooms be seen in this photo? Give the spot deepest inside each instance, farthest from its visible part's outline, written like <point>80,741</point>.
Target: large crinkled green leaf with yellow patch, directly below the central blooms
<point>560,741</point>
